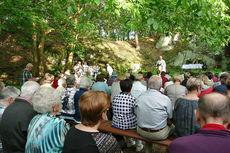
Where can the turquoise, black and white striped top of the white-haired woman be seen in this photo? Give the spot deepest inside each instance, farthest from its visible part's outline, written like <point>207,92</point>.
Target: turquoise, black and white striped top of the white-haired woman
<point>46,134</point>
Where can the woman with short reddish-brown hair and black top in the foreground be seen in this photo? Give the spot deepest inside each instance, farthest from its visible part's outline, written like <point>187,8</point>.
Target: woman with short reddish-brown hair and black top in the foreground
<point>85,137</point>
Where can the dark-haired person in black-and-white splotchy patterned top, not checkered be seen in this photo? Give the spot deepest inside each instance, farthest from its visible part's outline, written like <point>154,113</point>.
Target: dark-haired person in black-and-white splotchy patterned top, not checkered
<point>67,98</point>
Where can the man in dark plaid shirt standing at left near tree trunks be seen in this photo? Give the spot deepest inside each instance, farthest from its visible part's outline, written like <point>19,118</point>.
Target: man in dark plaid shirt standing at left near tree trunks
<point>26,74</point>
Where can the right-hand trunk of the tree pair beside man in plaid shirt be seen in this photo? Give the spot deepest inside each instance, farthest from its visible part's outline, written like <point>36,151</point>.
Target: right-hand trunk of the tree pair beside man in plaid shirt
<point>41,65</point>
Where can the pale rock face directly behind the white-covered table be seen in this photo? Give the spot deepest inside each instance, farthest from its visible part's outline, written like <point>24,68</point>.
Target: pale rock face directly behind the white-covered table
<point>180,59</point>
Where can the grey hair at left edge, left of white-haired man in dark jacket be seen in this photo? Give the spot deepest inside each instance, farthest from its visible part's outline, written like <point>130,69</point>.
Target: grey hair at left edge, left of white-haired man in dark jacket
<point>8,92</point>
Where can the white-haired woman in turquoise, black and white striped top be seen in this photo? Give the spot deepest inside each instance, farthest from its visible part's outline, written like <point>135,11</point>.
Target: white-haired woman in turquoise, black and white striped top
<point>46,133</point>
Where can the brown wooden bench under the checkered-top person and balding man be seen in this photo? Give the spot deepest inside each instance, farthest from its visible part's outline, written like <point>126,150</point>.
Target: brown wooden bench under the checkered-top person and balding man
<point>106,127</point>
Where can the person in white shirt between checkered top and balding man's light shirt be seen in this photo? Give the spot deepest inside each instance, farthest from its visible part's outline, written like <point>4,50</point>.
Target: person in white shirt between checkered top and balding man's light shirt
<point>138,88</point>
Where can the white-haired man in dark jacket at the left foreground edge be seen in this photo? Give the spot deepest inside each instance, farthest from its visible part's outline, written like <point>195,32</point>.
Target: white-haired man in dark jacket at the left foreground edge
<point>16,119</point>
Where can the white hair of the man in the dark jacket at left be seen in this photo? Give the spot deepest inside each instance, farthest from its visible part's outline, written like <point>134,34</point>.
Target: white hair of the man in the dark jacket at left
<point>29,88</point>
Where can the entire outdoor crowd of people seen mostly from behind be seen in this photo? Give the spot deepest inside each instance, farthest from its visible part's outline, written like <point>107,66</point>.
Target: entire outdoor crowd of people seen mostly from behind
<point>194,108</point>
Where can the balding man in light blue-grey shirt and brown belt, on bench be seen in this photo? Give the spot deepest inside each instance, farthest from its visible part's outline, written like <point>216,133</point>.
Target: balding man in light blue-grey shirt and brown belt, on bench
<point>154,111</point>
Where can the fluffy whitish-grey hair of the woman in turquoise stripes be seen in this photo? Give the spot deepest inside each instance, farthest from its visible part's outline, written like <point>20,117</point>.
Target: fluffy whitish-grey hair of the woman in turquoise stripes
<point>44,100</point>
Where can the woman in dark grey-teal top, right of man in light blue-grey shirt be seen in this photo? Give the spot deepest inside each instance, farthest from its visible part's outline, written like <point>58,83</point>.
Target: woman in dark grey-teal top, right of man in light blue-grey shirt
<point>183,115</point>
